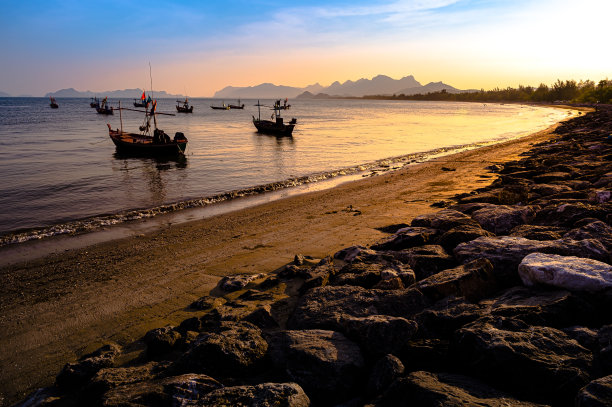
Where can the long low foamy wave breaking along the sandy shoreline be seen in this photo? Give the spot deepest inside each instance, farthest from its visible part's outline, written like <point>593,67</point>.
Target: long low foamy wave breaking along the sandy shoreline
<point>97,222</point>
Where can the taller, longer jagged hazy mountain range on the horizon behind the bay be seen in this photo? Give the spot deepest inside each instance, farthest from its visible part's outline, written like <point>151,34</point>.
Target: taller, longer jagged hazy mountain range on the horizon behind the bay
<point>379,85</point>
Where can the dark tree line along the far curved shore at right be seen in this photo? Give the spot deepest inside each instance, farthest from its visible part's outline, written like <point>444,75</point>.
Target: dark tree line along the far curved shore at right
<point>569,91</point>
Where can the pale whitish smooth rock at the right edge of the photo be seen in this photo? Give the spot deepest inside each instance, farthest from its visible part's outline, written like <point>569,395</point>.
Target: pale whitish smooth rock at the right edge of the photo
<point>567,272</point>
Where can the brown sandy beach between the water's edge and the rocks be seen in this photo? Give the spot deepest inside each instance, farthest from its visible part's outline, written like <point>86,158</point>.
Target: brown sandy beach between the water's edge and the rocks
<point>54,309</point>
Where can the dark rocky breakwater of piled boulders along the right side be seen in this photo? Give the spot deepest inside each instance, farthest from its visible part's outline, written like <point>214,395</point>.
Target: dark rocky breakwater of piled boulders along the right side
<point>502,298</point>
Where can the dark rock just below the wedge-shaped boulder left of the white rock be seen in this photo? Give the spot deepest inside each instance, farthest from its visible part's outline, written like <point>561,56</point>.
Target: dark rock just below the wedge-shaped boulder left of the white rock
<point>446,316</point>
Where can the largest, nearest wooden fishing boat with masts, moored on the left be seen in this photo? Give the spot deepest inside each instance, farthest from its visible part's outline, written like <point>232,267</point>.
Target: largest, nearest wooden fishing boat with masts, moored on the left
<point>150,141</point>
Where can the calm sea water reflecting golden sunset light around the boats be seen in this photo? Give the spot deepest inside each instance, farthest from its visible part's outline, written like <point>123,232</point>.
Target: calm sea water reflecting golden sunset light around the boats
<point>60,172</point>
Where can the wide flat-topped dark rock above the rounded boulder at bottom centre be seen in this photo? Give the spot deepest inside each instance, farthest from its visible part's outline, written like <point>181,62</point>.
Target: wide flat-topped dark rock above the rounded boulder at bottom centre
<point>328,307</point>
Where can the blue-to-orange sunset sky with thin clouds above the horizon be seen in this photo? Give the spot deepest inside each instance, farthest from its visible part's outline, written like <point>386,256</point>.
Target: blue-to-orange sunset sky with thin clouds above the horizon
<point>199,47</point>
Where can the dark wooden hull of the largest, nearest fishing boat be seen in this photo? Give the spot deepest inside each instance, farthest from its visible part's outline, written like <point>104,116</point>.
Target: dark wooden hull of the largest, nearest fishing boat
<point>143,145</point>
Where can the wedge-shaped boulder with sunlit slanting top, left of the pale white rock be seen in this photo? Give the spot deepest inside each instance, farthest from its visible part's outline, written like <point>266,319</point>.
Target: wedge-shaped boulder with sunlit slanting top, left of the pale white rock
<point>473,280</point>
